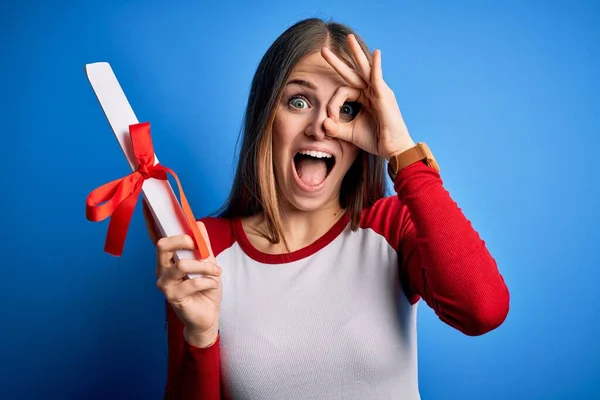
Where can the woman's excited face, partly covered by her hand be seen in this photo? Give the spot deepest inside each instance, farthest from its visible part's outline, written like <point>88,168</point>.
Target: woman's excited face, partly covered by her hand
<point>309,166</point>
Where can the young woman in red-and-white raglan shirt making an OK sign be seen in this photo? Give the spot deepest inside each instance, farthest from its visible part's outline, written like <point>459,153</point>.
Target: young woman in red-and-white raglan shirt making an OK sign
<point>312,286</point>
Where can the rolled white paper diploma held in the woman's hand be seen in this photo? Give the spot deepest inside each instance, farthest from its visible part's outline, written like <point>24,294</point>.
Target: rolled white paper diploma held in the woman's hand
<point>161,199</point>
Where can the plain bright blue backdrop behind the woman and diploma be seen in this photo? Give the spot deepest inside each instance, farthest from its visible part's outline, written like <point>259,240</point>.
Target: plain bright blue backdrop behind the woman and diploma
<point>505,93</point>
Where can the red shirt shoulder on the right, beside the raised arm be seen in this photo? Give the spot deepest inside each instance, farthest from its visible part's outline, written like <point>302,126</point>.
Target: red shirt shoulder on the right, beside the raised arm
<point>387,217</point>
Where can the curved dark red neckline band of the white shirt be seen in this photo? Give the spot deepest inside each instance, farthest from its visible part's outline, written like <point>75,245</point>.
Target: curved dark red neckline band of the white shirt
<point>267,258</point>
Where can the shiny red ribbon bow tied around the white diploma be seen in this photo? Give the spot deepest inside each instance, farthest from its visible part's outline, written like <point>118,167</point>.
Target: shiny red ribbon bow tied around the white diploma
<point>120,196</point>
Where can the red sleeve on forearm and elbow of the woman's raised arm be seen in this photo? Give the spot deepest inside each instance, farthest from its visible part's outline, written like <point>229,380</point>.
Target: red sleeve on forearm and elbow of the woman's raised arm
<point>443,259</point>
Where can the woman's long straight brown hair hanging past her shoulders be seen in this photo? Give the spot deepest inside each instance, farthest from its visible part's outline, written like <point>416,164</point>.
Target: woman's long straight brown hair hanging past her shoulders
<point>254,187</point>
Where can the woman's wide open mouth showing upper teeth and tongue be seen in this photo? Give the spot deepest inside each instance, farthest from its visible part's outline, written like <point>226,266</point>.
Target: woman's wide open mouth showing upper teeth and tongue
<point>313,167</point>
